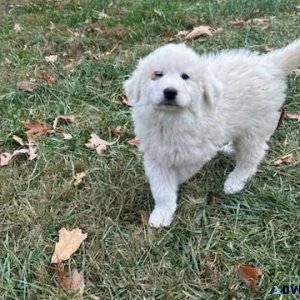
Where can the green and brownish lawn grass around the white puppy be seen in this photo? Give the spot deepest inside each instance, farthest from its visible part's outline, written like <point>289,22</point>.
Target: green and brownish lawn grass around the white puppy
<point>122,259</point>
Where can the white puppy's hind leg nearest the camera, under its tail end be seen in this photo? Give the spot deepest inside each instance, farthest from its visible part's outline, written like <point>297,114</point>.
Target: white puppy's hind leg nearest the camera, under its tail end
<point>249,151</point>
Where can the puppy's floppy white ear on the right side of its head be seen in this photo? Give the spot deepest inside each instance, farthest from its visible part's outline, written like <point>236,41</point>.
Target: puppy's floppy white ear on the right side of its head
<point>212,89</point>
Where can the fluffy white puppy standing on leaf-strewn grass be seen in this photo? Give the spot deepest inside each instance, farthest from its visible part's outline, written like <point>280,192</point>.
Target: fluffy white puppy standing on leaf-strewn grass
<point>186,107</point>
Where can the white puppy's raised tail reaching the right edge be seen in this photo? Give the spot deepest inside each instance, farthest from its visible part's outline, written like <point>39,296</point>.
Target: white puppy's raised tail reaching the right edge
<point>287,58</point>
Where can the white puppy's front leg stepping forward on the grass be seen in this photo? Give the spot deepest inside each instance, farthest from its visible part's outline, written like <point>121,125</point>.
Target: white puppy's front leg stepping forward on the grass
<point>163,184</point>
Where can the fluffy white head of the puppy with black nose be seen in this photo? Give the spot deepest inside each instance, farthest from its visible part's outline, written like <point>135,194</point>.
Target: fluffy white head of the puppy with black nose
<point>169,79</point>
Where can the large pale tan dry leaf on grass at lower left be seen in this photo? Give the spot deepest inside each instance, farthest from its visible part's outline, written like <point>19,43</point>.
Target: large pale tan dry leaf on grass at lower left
<point>69,242</point>
